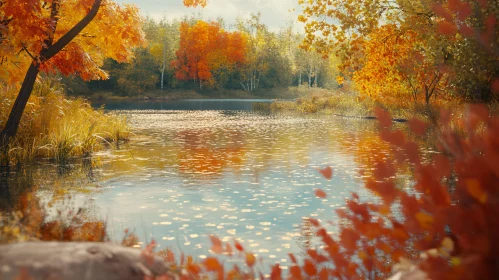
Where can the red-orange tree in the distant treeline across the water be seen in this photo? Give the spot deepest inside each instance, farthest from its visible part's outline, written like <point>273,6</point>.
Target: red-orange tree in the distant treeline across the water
<point>207,52</point>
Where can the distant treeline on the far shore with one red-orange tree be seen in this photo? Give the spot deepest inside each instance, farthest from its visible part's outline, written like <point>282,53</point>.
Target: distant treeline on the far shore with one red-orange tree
<point>192,54</point>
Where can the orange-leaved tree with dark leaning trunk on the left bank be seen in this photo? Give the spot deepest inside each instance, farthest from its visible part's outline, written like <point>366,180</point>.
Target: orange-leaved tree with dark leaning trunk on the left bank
<point>62,36</point>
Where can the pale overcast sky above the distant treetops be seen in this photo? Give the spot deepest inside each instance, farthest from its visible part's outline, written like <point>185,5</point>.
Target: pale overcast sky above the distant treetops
<point>275,13</point>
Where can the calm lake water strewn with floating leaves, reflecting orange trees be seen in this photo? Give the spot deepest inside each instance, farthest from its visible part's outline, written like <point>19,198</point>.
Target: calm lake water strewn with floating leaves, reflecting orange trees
<point>237,174</point>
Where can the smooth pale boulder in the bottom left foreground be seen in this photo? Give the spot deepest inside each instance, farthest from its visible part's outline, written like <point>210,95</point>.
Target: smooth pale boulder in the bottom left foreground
<point>78,261</point>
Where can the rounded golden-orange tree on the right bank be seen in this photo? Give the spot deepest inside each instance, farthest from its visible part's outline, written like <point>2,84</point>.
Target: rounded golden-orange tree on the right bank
<point>395,66</point>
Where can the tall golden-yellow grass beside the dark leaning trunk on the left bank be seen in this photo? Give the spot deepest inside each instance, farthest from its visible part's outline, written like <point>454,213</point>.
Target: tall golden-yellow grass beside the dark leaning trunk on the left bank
<point>54,126</point>
